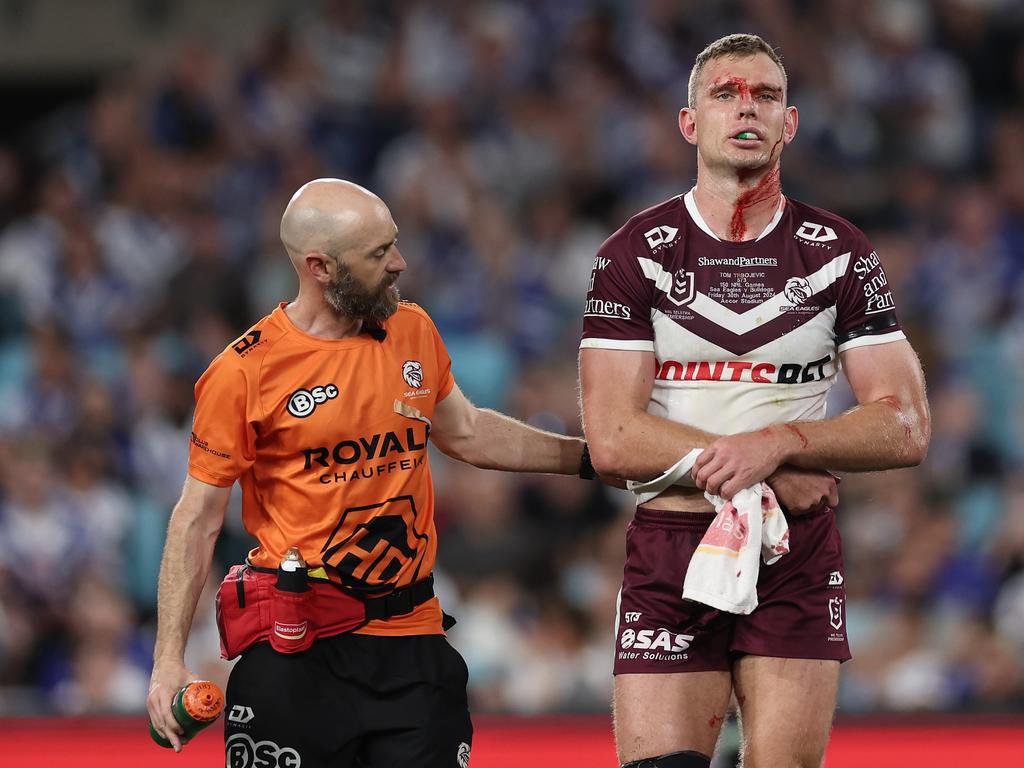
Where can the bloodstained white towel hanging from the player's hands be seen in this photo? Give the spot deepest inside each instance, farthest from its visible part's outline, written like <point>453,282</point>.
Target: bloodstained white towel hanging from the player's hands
<point>723,572</point>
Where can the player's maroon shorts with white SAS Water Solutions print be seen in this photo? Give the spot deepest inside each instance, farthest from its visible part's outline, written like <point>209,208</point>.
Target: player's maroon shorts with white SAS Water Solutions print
<point>801,610</point>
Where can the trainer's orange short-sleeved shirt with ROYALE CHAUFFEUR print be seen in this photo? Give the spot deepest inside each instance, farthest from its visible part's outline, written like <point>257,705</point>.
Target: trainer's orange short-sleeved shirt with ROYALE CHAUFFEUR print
<point>329,442</point>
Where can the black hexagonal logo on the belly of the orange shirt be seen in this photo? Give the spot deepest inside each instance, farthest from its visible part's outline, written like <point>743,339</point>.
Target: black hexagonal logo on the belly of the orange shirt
<point>373,546</point>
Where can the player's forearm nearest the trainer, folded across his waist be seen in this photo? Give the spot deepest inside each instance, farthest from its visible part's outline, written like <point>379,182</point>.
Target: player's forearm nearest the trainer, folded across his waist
<point>638,446</point>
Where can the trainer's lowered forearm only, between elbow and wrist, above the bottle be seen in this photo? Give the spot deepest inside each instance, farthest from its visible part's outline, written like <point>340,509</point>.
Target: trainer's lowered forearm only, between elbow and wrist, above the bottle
<point>184,571</point>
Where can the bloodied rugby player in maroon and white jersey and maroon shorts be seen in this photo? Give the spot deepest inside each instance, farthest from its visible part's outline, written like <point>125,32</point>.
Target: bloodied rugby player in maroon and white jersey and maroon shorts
<point>719,320</point>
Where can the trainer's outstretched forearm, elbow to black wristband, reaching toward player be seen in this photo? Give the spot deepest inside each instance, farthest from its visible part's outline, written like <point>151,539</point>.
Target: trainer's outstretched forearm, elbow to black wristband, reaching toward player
<point>499,442</point>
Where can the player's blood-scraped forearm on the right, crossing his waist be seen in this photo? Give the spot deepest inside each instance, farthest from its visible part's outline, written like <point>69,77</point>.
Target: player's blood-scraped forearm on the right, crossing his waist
<point>885,435</point>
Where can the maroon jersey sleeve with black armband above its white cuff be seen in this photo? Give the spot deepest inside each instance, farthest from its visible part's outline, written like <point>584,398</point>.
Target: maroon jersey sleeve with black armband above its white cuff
<point>866,312</point>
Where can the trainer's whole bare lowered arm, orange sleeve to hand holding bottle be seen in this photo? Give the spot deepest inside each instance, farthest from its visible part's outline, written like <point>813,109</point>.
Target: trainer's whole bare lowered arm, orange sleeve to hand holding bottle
<point>196,522</point>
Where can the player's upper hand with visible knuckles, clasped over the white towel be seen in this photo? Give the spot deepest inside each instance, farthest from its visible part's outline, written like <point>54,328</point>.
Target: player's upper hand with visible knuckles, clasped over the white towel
<point>736,462</point>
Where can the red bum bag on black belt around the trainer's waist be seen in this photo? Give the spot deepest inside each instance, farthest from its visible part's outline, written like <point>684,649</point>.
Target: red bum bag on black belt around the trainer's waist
<point>251,610</point>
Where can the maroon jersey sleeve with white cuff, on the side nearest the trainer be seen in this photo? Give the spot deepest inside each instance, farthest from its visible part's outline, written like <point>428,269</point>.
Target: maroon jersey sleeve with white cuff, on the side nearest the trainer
<point>618,311</point>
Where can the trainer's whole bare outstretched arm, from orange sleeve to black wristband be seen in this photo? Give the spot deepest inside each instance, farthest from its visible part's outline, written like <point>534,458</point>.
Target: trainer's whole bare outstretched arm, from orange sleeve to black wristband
<point>492,441</point>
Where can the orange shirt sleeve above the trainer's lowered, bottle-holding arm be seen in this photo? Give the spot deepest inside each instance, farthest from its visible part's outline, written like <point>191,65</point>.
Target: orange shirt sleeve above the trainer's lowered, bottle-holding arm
<point>224,437</point>
